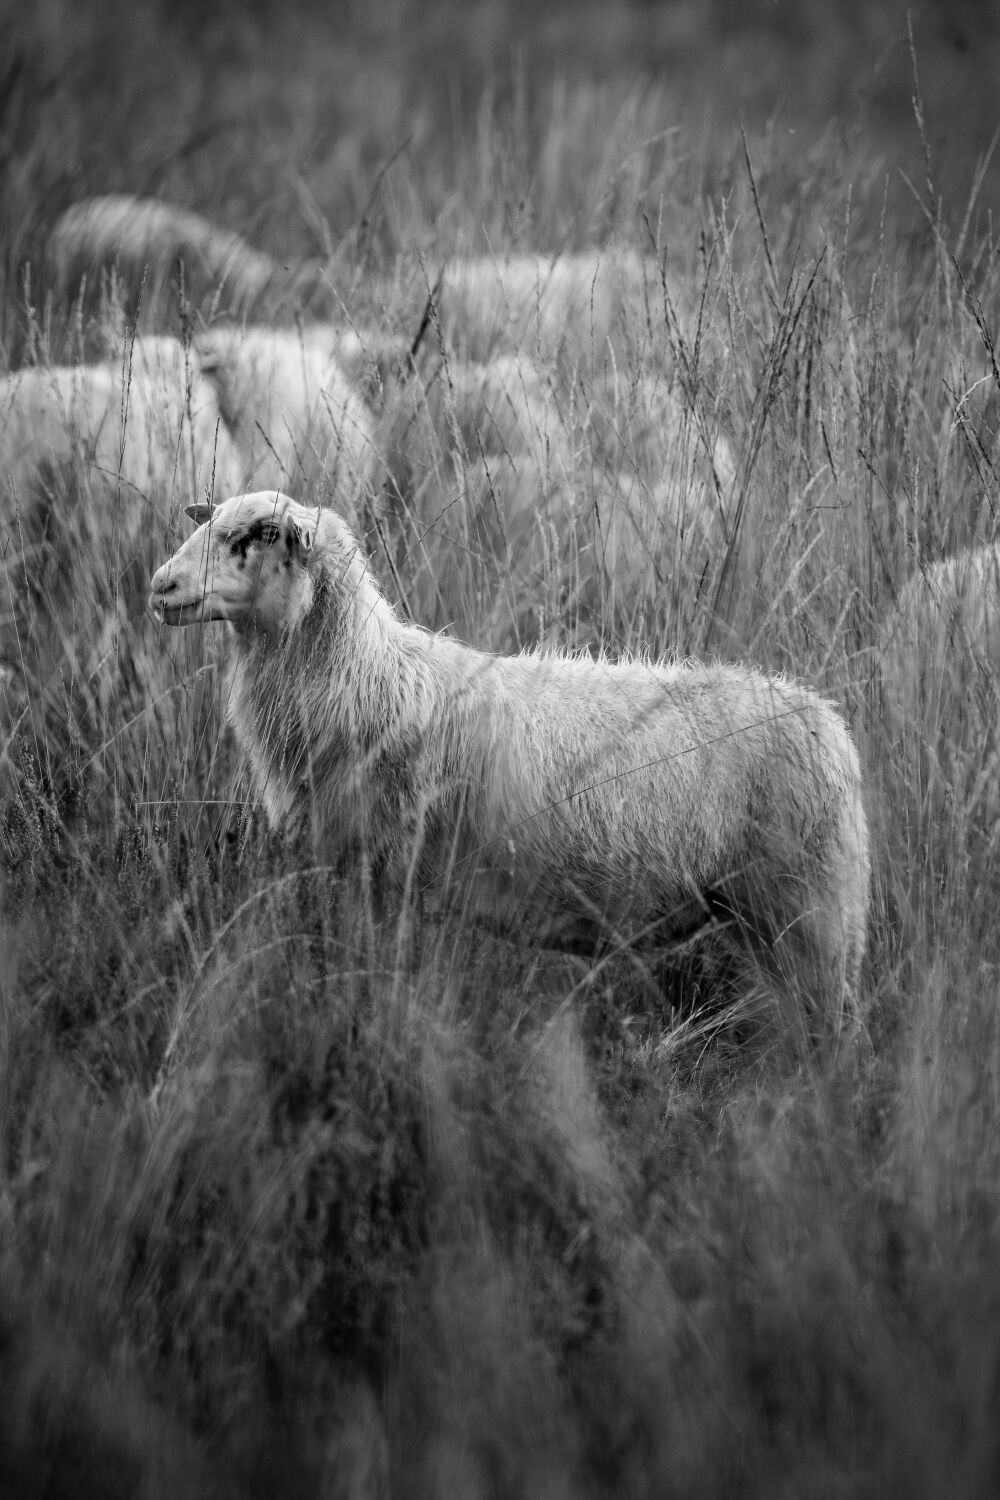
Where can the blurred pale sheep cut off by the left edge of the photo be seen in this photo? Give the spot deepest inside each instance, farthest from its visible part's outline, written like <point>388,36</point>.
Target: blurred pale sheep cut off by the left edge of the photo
<point>148,424</point>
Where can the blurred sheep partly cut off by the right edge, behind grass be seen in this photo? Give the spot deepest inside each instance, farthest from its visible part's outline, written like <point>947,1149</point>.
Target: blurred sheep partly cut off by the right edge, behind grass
<point>941,689</point>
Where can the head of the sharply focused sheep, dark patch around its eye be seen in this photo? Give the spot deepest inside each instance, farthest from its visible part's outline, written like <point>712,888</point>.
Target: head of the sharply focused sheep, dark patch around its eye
<point>248,563</point>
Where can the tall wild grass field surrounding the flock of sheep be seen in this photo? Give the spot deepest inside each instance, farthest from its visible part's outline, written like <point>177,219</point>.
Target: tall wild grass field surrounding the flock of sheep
<point>289,1208</point>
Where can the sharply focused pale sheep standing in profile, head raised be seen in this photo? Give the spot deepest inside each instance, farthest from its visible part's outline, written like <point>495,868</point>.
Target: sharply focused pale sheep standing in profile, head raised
<point>579,802</point>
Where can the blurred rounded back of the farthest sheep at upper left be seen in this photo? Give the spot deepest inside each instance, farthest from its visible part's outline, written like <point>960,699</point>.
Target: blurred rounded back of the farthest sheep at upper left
<point>140,233</point>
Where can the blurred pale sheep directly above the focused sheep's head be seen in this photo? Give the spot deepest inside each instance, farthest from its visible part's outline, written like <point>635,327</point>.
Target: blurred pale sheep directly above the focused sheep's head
<point>293,409</point>
